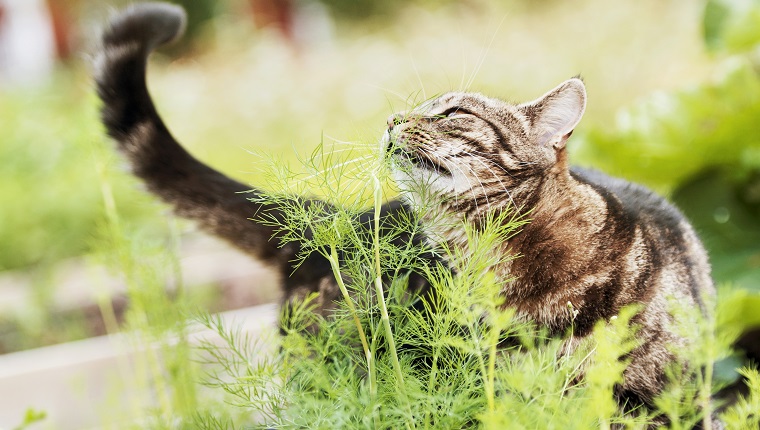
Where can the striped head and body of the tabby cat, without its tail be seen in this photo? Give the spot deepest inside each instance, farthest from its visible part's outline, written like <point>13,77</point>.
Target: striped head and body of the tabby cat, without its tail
<point>595,242</point>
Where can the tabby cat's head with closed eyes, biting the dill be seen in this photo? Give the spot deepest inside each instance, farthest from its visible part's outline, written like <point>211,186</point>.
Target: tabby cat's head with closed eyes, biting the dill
<point>465,146</point>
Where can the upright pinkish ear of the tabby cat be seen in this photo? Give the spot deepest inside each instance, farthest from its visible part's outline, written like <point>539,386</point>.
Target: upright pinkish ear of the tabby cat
<point>554,115</point>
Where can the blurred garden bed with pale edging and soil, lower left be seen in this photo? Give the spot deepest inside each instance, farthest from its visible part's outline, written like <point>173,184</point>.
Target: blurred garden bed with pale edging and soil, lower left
<point>71,369</point>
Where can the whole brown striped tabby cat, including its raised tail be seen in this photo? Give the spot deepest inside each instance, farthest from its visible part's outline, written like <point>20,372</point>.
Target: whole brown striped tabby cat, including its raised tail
<point>594,243</point>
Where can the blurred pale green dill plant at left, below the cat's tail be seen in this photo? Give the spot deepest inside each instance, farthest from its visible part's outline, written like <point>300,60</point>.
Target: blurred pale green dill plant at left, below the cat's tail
<point>157,359</point>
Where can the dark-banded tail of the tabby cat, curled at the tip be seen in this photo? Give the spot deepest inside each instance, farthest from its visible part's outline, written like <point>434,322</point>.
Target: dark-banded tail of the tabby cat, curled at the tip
<point>195,190</point>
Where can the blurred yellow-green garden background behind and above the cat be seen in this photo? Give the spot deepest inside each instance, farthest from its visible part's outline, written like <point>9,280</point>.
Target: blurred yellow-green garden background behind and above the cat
<point>673,87</point>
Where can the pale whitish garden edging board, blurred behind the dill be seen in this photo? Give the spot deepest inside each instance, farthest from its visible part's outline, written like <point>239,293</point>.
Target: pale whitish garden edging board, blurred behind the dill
<point>89,383</point>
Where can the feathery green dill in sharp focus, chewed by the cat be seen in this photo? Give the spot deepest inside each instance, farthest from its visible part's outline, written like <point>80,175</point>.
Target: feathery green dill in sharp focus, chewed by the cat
<point>451,359</point>
